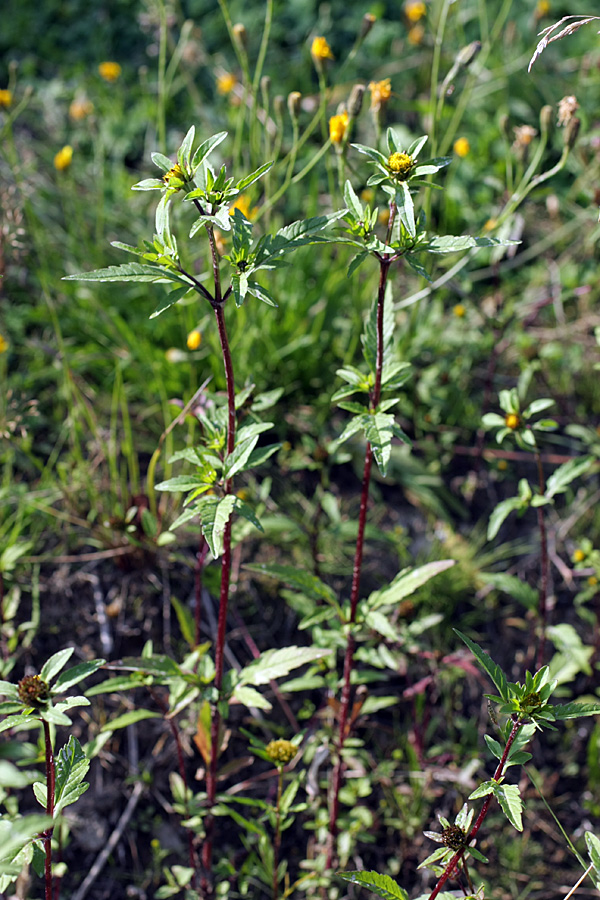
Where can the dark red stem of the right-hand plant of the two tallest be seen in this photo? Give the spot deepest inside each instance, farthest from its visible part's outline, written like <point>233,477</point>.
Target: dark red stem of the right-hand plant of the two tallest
<point>384,265</point>
